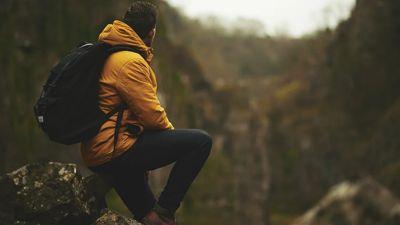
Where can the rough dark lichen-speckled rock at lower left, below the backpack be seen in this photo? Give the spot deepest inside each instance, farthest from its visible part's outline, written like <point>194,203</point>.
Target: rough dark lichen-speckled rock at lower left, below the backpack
<point>50,193</point>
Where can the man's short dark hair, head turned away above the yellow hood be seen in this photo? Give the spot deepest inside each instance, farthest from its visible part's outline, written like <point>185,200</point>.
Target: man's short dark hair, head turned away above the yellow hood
<point>141,17</point>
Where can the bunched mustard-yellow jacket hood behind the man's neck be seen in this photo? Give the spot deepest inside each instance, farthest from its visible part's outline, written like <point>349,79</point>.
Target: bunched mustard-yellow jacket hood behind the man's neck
<point>120,33</point>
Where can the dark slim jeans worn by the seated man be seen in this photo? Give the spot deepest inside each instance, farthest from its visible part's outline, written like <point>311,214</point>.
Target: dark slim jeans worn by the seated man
<point>188,148</point>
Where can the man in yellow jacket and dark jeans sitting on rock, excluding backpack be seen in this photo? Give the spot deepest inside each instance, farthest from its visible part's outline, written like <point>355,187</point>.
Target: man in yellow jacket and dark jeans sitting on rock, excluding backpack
<point>127,77</point>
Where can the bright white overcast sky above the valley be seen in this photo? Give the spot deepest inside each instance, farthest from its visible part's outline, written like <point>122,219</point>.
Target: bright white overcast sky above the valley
<point>293,17</point>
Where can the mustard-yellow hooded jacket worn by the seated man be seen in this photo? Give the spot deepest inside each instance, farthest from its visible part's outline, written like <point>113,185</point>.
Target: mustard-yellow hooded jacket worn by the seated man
<point>126,77</point>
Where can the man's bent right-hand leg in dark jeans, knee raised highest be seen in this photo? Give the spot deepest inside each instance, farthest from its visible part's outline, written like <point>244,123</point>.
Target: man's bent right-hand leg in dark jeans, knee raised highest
<point>189,148</point>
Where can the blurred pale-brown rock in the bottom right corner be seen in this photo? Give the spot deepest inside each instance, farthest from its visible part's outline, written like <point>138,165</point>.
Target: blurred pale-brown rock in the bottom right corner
<point>365,202</point>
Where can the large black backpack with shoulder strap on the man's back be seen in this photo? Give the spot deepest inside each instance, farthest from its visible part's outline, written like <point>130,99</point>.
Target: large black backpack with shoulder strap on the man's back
<point>67,109</point>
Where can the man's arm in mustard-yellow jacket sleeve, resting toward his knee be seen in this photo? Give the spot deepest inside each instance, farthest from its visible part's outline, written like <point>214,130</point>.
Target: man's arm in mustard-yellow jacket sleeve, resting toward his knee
<point>134,86</point>
